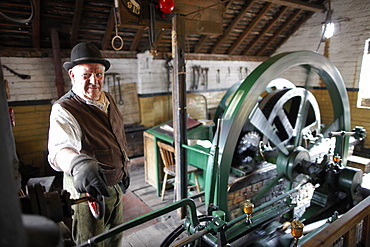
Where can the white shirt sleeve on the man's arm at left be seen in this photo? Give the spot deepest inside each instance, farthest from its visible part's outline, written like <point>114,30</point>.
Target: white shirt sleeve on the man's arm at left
<point>64,133</point>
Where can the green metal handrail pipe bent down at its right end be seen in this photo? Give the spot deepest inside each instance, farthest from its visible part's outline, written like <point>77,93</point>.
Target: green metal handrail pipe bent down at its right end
<point>145,218</point>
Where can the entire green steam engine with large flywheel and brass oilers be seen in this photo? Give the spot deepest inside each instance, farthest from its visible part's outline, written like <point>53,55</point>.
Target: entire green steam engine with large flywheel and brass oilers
<point>272,122</point>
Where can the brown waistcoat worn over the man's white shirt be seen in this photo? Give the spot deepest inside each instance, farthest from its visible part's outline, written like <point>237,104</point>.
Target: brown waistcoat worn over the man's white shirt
<point>103,136</point>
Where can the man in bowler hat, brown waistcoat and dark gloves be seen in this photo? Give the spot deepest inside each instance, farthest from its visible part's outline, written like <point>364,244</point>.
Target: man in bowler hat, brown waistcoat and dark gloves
<point>87,142</point>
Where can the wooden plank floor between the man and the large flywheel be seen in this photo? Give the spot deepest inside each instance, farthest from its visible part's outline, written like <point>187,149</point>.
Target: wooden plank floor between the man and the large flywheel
<point>141,198</point>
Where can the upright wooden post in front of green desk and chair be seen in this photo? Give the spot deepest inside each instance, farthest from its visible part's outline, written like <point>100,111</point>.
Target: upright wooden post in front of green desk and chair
<point>179,107</point>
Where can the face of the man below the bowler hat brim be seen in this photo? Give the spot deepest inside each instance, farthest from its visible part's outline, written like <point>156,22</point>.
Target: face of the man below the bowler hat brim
<point>88,80</point>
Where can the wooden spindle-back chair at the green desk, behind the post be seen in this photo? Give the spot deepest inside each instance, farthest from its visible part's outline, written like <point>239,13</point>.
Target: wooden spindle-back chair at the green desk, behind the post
<point>168,157</point>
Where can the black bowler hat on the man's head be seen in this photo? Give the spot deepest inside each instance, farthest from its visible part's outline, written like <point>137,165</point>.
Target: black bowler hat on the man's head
<point>85,53</point>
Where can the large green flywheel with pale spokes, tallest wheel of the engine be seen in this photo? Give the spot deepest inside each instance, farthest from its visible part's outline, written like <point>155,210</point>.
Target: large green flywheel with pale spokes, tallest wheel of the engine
<point>243,108</point>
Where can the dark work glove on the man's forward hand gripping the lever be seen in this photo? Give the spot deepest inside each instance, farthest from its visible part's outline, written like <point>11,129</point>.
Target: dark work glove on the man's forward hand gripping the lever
<point>87,176</point>
